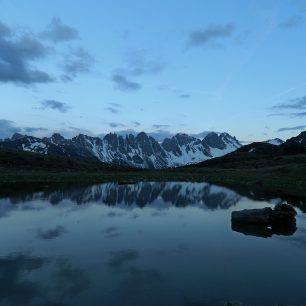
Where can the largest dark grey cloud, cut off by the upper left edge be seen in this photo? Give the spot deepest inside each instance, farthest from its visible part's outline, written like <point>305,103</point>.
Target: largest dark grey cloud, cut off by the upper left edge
<point>17,54</point>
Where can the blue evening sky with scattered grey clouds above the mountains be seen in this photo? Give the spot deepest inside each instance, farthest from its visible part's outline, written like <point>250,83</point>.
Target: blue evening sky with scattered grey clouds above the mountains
<point>162,66</point>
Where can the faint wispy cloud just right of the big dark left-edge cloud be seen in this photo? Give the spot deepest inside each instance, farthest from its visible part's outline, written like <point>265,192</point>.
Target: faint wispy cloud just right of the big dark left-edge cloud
<point>78,61</point>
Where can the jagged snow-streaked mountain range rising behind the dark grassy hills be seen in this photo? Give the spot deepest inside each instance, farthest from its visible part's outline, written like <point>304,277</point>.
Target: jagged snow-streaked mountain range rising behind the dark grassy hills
<point>140,151</point>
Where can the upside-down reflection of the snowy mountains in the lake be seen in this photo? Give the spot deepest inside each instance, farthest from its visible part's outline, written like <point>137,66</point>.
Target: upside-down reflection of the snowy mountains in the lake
<point>141,194</point>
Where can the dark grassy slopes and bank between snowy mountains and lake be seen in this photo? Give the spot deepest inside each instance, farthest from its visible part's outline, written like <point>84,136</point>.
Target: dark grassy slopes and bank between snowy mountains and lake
<point>281,176</point>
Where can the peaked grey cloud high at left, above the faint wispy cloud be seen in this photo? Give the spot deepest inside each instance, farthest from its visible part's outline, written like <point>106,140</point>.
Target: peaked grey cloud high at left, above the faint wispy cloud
<point>59,32</point>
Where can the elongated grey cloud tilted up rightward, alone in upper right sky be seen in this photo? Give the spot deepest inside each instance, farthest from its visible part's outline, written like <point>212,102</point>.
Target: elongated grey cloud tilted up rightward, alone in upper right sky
<point>211,33</point>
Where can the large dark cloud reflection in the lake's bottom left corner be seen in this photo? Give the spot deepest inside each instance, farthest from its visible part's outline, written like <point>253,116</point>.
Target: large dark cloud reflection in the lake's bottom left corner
<point>19,288</point>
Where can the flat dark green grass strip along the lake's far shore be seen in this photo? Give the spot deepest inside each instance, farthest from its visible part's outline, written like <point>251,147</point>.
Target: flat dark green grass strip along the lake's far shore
<point>283,181</point>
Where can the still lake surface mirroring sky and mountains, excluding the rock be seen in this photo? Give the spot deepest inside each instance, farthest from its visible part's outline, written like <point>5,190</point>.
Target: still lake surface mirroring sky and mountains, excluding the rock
<point>143,244</point>
